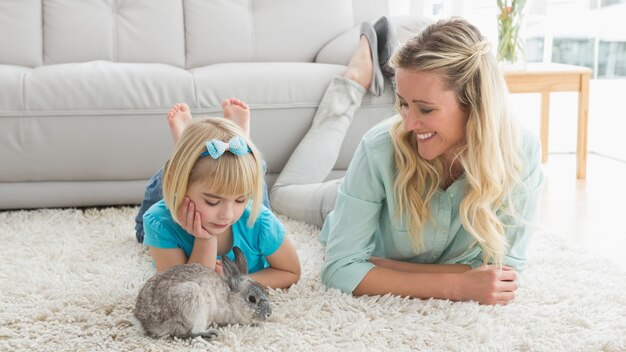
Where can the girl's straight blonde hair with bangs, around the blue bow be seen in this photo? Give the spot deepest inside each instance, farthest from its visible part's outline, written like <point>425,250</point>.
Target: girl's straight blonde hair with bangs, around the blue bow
<point>227,175</point>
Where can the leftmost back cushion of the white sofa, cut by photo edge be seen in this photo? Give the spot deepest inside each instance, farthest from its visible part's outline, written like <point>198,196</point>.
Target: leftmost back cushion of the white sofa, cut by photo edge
<point>20,37</point>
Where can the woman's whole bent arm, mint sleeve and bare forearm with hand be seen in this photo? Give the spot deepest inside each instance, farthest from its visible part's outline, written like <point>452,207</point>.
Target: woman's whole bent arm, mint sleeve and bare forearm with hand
<point>349,239</point>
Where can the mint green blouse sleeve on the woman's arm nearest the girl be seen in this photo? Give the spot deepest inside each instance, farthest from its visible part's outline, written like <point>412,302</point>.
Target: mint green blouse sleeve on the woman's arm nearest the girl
<point>348,232</point>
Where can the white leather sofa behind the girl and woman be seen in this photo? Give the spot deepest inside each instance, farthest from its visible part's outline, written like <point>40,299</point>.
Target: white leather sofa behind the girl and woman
<point>85,84</point>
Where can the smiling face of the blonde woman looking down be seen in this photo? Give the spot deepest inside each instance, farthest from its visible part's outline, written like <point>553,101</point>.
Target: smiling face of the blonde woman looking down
<point>431,112</point>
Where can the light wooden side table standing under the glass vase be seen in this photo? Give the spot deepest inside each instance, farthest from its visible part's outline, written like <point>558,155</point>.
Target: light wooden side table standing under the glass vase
<point>546,78</point>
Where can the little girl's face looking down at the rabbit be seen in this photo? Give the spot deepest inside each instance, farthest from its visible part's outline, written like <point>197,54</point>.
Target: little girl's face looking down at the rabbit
<point>218,211</point>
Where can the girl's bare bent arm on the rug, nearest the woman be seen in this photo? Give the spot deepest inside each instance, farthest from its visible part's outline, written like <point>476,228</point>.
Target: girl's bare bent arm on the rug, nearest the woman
<point>284,269</point>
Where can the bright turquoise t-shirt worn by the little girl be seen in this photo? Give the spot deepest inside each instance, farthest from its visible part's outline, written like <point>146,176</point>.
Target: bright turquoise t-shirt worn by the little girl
<point>256,242</point>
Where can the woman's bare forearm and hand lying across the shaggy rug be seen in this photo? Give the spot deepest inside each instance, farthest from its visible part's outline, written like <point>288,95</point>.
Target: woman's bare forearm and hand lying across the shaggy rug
<point>485,285</point>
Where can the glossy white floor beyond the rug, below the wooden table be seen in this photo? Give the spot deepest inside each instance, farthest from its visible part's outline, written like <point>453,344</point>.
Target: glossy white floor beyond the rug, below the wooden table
<point>587,212</point>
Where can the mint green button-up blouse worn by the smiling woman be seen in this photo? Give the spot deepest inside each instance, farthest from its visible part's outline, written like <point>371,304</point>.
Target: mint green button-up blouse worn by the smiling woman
<point>363,223</point>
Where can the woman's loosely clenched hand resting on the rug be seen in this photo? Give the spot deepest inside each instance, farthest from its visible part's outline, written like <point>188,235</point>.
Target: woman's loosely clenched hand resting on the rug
<point>489,284</point>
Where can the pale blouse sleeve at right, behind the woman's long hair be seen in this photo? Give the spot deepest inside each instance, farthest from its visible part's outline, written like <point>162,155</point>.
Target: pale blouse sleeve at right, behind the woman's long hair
<point>526,201</point>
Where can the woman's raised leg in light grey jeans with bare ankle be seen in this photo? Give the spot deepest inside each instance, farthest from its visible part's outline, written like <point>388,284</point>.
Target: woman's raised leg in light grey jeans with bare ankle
<point>300,191</point>
